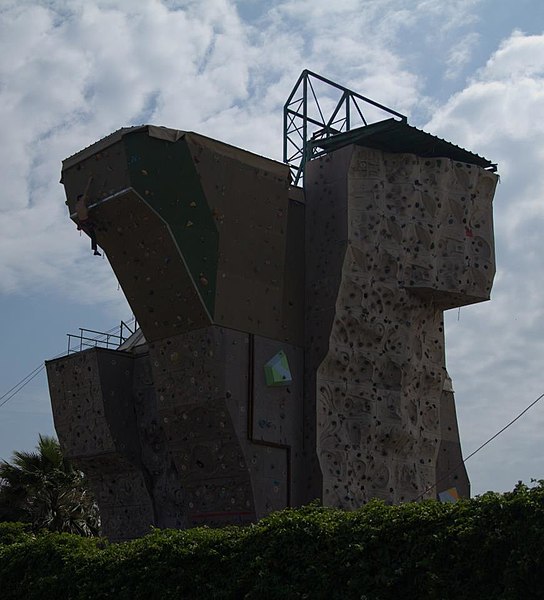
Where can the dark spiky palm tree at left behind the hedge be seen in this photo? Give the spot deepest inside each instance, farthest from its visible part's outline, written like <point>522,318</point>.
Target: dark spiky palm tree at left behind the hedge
<point>45,489</point>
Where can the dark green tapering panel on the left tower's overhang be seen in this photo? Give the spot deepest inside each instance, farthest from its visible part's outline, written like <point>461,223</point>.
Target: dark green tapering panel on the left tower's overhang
<point>163,173</point>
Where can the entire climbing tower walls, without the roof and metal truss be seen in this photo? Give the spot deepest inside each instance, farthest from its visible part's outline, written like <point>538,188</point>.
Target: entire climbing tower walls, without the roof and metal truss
<point>294,351</point>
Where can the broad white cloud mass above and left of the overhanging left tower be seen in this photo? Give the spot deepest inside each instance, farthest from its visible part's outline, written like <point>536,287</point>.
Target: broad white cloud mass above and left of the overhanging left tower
<point>71,73</point>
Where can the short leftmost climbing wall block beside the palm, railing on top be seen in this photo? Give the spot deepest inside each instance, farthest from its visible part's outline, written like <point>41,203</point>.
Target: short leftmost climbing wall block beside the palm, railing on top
<point>95,420</point>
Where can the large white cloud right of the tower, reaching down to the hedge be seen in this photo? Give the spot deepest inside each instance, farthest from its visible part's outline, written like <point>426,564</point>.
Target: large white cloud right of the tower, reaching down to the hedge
<point>495,351</point>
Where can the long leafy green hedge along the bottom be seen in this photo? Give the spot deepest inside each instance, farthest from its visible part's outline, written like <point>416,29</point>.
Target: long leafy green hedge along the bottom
<point>491,547</point>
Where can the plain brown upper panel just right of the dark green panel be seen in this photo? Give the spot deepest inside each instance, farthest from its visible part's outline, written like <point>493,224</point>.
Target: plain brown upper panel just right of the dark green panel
<point>248,197</point>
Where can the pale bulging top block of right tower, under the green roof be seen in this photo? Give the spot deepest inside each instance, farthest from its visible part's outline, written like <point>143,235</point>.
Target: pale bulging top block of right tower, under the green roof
<point>434,223</point>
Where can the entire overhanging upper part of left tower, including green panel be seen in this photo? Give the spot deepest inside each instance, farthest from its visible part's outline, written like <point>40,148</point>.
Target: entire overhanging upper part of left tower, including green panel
<point>197,231</point>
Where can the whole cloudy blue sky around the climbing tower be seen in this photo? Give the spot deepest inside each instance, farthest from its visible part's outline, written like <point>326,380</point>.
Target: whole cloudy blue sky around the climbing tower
<point>471,71</point>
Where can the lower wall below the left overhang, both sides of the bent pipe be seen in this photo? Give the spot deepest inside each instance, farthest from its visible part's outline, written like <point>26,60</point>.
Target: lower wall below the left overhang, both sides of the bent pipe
<point>234,439</point>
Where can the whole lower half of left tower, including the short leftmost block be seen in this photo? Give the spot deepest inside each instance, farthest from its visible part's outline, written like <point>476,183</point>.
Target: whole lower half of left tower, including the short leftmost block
<point>185,431</point>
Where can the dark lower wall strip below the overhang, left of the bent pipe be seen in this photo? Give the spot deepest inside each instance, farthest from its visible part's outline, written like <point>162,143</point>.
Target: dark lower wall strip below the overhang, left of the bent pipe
<point>201,383</point>
